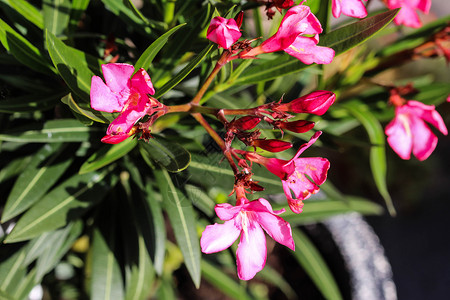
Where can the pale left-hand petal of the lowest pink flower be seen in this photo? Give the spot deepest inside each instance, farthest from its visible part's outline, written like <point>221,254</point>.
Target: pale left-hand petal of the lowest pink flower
<point>219,237</point>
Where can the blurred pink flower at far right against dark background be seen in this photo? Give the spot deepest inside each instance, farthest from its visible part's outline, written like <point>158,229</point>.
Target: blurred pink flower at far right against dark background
<point>408,132</point>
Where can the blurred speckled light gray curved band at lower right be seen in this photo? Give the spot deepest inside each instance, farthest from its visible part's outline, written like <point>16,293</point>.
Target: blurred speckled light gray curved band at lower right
<point>369,270</point>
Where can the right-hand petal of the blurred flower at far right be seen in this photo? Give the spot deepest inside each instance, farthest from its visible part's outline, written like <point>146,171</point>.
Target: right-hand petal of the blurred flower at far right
<point>424,140</point>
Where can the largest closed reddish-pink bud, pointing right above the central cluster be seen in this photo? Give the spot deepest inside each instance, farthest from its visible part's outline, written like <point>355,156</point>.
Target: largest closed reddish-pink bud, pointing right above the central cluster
<point>316,103</point>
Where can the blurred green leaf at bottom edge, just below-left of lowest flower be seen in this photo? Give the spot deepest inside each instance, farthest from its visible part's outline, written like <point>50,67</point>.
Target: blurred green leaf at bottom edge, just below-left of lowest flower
<point>223,282</point>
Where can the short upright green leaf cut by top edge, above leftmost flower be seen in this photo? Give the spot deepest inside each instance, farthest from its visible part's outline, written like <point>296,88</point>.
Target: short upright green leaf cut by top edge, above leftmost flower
<point>56,15</point>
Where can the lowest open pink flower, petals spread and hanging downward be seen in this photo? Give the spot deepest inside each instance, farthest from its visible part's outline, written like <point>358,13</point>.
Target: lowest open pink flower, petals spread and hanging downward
<point>246,219</point>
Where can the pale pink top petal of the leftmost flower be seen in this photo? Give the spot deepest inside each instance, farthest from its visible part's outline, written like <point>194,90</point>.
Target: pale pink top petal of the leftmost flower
<point>117,76</point>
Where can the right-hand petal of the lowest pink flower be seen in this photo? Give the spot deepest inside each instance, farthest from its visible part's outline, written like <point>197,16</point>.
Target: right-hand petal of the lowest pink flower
<point>275,226</point>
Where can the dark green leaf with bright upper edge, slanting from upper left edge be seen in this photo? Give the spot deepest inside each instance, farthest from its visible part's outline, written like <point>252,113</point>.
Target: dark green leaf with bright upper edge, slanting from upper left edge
<point>23,50</point>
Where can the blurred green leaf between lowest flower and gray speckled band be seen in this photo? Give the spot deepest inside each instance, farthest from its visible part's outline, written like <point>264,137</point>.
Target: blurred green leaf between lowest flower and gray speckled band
<point>312,262</point>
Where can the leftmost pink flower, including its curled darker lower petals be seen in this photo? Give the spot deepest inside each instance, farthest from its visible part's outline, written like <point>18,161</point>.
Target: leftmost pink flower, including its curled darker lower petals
<point>120,93</point>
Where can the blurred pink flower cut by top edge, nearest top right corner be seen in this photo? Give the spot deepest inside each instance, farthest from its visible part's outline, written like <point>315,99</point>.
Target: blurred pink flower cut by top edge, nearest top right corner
<point>407,14</point>
